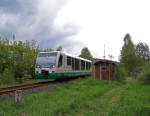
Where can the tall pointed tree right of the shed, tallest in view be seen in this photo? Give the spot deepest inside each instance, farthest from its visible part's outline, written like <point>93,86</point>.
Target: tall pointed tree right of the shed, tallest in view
<point>128,55</point>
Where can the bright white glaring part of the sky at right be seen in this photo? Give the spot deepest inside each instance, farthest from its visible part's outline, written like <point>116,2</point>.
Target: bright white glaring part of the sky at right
<point>107,22</point>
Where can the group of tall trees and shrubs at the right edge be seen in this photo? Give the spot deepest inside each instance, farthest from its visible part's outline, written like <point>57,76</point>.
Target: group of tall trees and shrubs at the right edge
<point>136,59</point>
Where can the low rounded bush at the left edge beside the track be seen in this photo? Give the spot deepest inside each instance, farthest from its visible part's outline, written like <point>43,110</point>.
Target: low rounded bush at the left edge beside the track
<point>7,77</point>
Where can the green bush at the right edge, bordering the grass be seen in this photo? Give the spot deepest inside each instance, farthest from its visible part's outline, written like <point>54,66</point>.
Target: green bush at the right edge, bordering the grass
<point>144,75</point>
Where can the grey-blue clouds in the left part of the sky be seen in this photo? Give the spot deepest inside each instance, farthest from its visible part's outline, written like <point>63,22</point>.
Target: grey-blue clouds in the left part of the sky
<point>35,19</point>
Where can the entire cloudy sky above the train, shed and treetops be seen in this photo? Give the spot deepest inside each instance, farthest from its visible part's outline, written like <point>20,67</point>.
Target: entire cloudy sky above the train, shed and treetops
<point>77,23</point>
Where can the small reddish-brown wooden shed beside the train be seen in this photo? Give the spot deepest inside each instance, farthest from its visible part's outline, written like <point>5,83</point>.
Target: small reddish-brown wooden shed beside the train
<point>105,69</point>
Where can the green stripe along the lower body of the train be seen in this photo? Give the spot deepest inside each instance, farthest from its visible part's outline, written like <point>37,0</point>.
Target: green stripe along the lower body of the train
<point>60,75</point>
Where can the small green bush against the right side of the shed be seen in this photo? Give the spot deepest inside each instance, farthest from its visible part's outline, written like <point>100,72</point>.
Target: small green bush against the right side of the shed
<point>121,73</point>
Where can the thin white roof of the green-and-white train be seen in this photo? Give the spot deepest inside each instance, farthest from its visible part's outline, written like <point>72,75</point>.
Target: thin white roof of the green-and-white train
<point>69,55</point>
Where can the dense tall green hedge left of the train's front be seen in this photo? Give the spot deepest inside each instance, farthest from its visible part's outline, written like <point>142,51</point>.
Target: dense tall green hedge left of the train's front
<point>18,57</point>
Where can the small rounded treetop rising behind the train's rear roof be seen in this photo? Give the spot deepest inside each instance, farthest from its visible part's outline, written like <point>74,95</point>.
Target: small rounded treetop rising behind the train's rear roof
<point>85,53</point>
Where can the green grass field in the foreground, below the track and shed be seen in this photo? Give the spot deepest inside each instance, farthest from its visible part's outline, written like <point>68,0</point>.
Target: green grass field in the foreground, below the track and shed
<point>84,97</point>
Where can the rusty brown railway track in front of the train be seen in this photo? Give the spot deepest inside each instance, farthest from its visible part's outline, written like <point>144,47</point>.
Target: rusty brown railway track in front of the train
<point>21,87</point>
